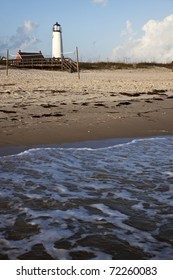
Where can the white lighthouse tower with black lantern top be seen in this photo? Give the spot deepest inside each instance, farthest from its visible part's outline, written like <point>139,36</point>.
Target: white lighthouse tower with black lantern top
<point>57,46</point>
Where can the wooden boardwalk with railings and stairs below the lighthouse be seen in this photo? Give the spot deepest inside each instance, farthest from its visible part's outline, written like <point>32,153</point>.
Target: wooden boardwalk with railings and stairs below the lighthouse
<point>52,63</point>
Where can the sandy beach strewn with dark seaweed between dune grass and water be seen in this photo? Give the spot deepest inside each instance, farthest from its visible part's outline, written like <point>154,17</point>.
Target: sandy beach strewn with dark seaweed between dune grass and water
<point>46,107</point>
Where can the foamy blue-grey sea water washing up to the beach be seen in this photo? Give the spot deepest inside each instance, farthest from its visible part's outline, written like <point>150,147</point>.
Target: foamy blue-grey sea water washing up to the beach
<point>113,202</point>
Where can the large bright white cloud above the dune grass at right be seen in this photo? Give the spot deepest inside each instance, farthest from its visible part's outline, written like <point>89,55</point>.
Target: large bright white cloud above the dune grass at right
<point>156,44</point>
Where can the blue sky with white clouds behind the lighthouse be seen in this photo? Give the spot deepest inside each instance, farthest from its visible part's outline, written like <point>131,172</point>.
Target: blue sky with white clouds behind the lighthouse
<point>116,30</point>
